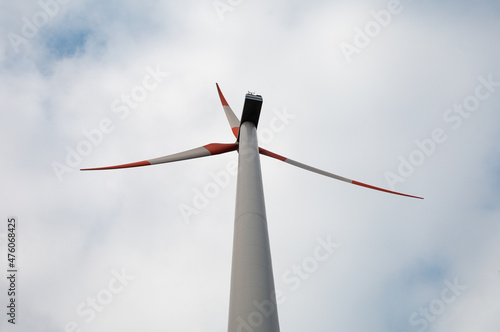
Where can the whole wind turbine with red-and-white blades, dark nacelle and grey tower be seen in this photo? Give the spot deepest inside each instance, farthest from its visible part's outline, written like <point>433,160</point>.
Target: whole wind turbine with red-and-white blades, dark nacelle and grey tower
<point>252,303</point>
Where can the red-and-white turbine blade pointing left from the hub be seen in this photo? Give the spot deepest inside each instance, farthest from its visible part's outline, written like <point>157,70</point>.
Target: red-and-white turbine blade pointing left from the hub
<point>202,151</point>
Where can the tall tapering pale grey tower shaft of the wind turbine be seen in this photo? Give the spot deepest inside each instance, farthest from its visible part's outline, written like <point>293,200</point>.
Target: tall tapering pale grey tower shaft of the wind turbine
<point>252,304</point>
